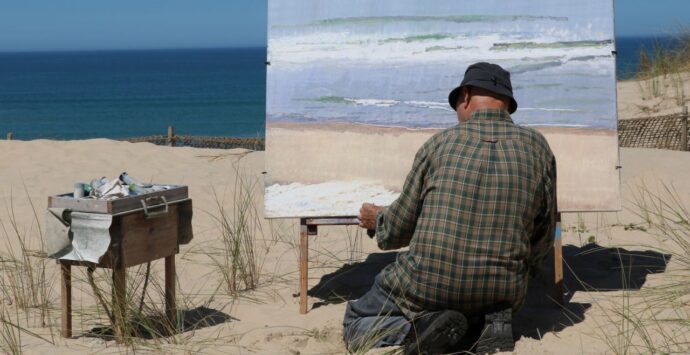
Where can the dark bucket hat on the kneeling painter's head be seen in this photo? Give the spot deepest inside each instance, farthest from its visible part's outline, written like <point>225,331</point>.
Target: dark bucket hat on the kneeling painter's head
<point>487,76</point>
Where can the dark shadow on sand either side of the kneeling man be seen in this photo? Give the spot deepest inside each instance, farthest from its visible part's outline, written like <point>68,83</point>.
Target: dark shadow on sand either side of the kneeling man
<point>589,268</point>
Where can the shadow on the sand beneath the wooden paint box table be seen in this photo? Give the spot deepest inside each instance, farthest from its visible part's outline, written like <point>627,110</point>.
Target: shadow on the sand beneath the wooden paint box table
<point>157,326</point>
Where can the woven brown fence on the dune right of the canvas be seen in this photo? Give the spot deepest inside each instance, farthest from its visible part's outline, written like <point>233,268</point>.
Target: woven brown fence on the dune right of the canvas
<point>662,132</point>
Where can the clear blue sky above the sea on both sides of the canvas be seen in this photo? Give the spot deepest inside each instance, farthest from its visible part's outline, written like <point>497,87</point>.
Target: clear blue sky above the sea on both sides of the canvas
<point>27,25</point>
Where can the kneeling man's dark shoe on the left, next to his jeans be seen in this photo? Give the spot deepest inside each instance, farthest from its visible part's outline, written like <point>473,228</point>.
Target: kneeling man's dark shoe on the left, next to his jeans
<point>443,331</point>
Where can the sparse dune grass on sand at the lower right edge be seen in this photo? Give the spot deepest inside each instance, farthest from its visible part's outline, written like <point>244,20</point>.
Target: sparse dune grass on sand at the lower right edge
<point>656,318</point>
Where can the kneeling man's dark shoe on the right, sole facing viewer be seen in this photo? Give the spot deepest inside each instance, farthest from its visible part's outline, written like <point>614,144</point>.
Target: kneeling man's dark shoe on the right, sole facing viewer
<point>497,335</point>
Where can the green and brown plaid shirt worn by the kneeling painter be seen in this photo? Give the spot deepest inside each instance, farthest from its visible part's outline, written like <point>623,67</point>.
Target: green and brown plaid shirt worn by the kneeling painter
<point>477,210</point>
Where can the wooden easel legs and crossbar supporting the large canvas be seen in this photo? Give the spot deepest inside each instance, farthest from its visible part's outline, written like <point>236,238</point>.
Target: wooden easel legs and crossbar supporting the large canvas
<point>310,226</point>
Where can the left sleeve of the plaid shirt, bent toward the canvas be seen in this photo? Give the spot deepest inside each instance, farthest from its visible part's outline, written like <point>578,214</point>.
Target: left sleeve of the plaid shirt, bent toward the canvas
<point>395,224</point>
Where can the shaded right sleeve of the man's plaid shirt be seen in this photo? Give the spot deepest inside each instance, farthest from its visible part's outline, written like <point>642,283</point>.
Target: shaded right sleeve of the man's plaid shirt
<point>545,222</point>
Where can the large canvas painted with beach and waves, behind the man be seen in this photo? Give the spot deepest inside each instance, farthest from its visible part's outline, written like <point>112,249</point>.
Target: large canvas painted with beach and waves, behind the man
<point>355,87</point>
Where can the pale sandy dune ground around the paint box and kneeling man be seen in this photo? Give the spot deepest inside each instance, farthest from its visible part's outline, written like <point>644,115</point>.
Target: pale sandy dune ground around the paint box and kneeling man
<point>267,320</point>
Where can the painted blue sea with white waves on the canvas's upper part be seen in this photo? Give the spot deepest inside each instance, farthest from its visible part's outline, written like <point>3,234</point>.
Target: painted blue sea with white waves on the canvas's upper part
<point>398,70</point>
